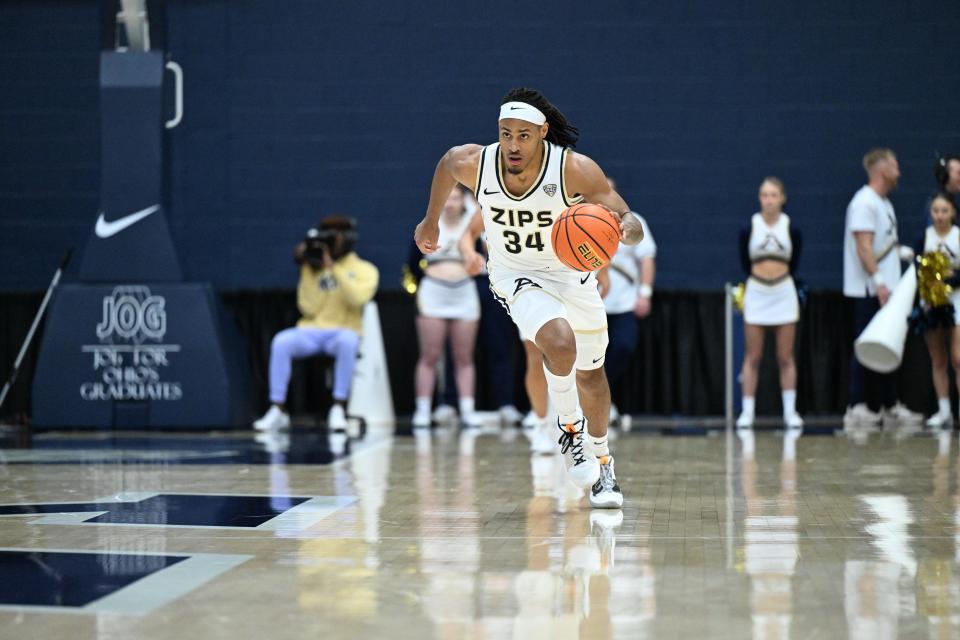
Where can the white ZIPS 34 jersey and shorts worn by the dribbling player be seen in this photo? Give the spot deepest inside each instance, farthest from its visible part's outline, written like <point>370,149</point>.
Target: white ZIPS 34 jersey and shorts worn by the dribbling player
<point>525,275</point>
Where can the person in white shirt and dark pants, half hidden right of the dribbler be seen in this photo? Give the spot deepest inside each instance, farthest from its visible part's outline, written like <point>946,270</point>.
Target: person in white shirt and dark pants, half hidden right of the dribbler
<point>632,271</point>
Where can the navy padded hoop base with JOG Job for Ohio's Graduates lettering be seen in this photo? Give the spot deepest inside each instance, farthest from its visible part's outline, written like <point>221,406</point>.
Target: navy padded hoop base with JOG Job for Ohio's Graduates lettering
<point>133,355</point>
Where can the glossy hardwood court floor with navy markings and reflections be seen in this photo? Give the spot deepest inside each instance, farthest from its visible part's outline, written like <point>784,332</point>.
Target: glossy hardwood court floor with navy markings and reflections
<point>465,534</point>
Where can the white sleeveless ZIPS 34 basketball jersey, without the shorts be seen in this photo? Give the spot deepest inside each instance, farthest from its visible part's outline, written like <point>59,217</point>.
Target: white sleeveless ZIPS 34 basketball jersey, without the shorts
<point>518,227</point>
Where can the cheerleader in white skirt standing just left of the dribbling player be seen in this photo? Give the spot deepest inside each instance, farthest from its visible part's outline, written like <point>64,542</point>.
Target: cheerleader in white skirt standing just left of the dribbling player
<point>449,306</point>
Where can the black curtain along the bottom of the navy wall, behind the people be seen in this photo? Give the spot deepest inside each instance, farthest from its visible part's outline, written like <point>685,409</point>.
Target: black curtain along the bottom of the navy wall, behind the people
<point>679,368</point>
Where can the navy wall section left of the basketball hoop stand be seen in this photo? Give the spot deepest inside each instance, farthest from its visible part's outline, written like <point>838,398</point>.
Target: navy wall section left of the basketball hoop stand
<point>49,135</point>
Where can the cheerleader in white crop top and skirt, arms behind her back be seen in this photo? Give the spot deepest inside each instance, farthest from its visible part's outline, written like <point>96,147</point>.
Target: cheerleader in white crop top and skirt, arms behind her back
<point>769,252</point>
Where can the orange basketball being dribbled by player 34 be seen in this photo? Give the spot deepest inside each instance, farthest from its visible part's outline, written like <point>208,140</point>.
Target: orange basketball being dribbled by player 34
<point>585,237</point>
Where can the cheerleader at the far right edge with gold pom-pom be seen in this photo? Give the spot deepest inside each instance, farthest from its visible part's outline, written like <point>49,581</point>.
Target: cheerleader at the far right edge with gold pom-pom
<point>941,322</point>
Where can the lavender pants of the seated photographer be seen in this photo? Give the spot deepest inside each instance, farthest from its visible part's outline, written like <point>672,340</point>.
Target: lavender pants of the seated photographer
<point>298,342</point>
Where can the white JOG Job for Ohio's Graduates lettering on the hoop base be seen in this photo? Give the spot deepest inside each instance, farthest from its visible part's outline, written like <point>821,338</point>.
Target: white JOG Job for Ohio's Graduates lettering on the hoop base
<point>130,360</point>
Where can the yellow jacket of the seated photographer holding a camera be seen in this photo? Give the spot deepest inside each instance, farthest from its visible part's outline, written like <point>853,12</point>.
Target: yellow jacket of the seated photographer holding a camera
<point>333,298</point>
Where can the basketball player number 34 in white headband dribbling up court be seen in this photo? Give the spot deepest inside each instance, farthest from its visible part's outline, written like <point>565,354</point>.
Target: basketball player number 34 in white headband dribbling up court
<point>522,183</point>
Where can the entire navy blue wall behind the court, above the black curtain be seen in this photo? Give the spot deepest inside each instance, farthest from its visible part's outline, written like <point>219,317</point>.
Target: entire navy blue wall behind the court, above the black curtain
<point>298,108</point>
